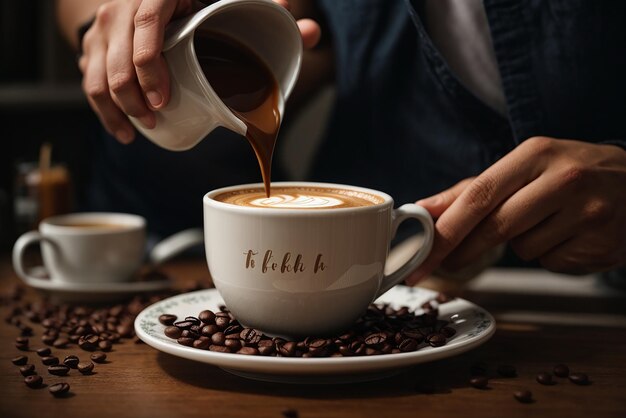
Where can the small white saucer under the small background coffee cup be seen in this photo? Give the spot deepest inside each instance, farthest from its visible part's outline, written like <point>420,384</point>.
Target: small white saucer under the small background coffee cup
<point>93,292</point>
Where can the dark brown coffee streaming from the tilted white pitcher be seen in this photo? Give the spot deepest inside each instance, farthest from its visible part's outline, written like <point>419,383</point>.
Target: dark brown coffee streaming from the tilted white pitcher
<point>246,85</point>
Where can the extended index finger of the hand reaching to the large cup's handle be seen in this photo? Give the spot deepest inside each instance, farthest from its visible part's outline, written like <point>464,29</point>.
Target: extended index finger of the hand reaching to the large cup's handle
<point>477,201</point>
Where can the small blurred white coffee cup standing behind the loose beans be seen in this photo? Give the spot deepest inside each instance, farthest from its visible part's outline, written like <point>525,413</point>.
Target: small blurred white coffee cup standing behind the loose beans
<point>86,247</point>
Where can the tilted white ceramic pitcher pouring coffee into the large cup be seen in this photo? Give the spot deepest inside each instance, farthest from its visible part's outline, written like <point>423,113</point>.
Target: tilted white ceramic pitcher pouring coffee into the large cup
<point>194,109</point>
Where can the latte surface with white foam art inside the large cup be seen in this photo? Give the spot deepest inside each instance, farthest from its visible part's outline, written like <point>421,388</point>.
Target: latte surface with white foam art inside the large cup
<point>300,198</point>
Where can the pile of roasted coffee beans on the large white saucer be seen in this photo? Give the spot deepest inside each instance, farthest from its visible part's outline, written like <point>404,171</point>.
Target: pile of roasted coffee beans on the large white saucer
<point>381,330</point>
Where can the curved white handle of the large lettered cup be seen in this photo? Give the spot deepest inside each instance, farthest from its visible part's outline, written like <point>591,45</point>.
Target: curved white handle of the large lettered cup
<point>399,215</point>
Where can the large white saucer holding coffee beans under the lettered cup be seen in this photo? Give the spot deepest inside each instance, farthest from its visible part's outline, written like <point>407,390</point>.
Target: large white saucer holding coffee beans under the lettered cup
<point>473,324</point>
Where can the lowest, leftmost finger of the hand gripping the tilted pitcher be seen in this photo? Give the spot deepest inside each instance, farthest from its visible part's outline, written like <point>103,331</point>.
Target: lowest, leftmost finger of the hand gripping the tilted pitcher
<point>96,89</point>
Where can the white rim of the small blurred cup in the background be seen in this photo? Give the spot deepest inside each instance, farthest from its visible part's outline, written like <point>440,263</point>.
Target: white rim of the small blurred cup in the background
<point>58,224</point>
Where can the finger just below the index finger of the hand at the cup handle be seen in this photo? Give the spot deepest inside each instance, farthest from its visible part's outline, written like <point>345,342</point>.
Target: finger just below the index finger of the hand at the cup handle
<point>524,210</point>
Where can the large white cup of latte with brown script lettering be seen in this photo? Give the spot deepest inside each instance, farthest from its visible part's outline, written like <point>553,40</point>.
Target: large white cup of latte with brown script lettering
<point>309,259</point>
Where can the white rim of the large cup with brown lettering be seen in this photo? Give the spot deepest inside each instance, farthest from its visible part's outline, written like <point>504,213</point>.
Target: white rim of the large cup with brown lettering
<point>208,199</point>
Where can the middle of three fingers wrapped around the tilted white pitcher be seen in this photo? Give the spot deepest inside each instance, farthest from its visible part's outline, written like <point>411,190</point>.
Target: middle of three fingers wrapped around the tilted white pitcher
<point>121,76</point>
